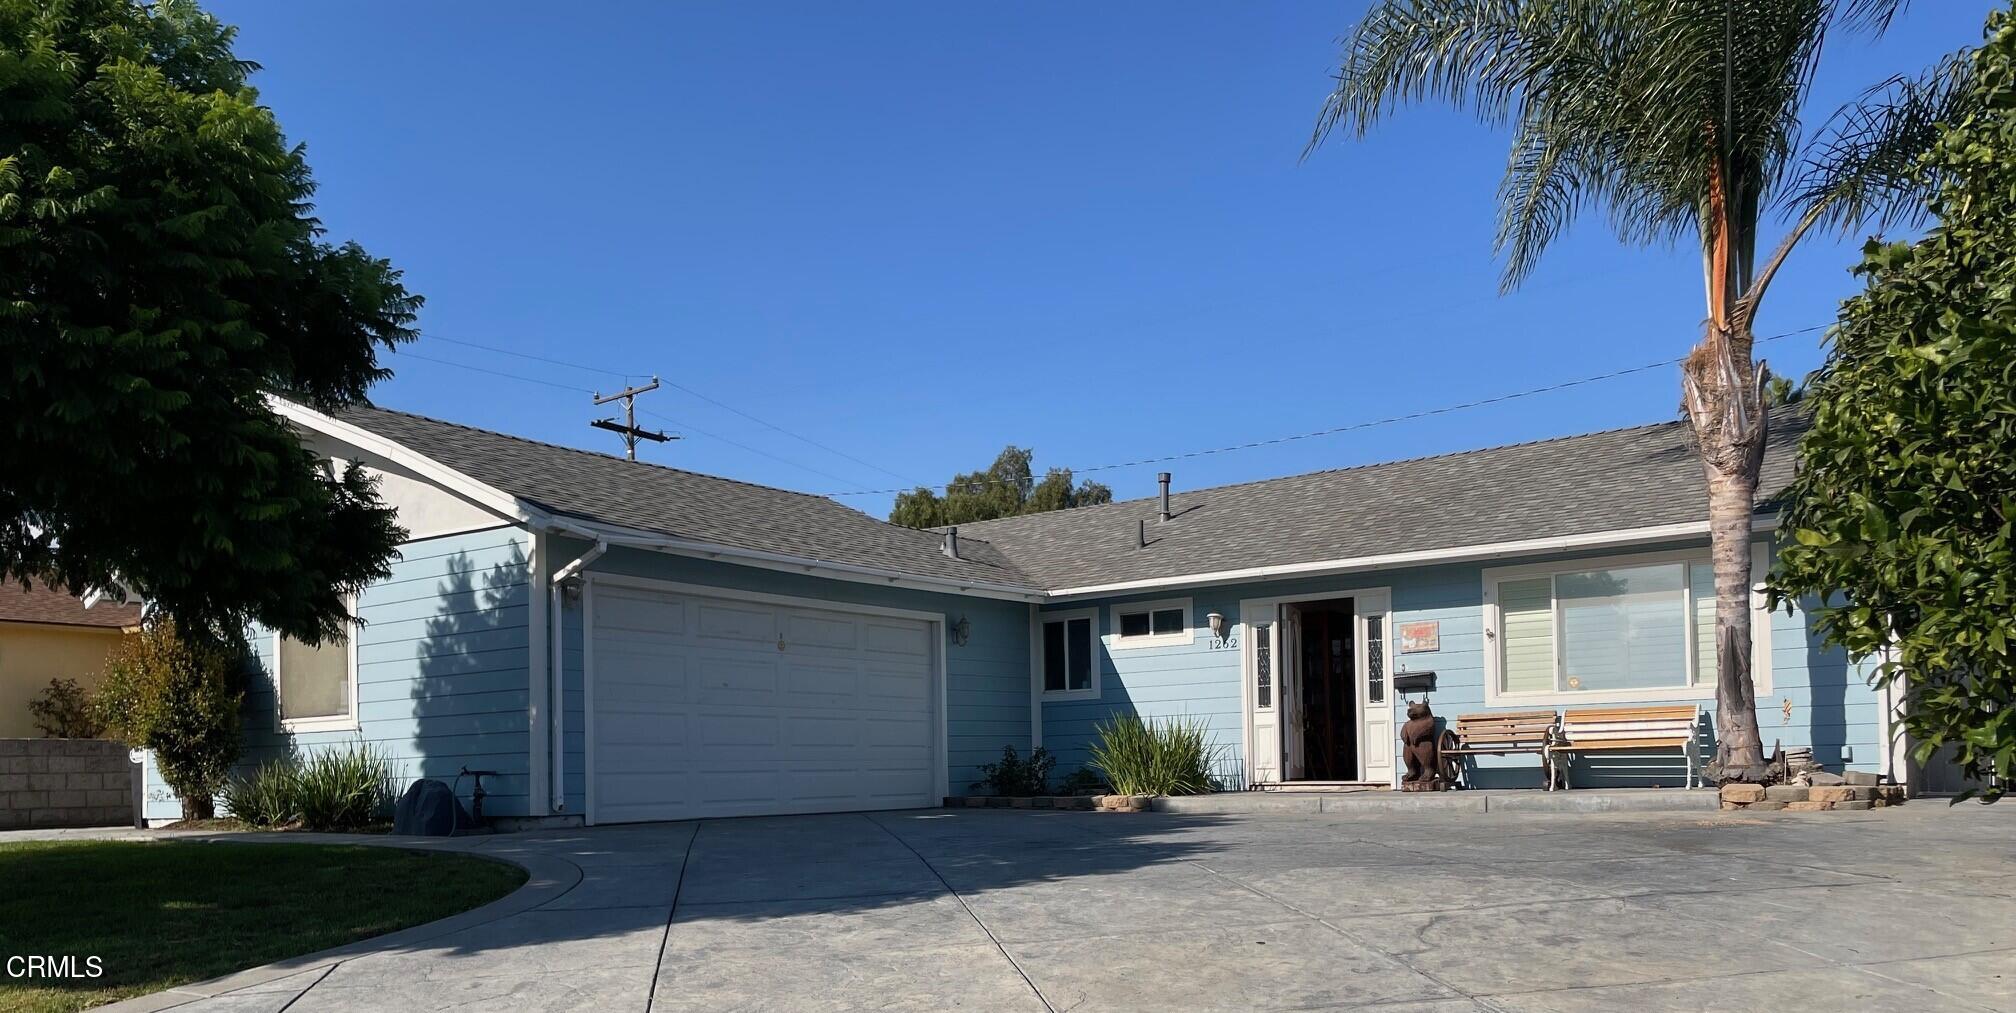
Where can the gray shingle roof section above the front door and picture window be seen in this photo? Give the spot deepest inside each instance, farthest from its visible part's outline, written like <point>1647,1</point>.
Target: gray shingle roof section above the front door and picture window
<point>1576,485</point>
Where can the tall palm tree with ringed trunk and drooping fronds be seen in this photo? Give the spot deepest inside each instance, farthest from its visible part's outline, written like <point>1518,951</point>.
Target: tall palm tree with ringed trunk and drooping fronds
<point>1678,120</point>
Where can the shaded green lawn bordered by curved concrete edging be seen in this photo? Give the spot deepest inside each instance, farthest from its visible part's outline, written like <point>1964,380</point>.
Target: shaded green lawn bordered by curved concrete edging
<point>168,913</point>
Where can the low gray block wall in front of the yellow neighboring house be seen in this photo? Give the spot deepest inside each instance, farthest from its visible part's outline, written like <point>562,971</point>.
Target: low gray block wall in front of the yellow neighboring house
<point>66,784</point>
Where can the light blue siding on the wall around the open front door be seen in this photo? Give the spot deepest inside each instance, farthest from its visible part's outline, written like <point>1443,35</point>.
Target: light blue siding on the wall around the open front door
<point>1815,699</point>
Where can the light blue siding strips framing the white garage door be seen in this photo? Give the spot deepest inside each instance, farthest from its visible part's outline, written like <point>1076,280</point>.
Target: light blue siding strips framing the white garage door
<point>987,679</point>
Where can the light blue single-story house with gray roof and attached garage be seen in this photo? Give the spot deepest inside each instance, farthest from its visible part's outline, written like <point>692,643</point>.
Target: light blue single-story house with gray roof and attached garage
<point>630,643</point>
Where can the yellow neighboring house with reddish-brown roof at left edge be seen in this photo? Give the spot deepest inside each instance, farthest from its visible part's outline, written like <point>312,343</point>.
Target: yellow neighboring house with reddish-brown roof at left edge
<point>49,635</point>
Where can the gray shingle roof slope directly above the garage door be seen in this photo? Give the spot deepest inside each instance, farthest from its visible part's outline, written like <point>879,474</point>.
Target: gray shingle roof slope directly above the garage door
<point>686,505</point>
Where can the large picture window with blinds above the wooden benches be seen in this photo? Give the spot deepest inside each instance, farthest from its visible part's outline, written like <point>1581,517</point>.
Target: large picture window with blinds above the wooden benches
<point>1606,629</point>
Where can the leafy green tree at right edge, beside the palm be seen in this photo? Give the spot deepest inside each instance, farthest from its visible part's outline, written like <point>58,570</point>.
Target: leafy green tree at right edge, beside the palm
<point>1906,495</point>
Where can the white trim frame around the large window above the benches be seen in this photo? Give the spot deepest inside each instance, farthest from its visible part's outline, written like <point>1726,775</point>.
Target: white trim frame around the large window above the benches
<point>1705,687</point>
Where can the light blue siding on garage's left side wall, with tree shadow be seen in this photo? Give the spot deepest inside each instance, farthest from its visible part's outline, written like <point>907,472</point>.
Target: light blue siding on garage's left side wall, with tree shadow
<point>443,673</point>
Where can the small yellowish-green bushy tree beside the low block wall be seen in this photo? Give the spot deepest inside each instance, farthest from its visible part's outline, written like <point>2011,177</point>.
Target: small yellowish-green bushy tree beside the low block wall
<point>178,697</point>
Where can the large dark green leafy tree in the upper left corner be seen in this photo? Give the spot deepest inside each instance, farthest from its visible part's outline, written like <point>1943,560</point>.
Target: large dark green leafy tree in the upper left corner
<point>160,271</point>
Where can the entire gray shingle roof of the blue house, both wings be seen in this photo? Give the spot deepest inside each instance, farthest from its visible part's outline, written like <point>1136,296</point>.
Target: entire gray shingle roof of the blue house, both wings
<point>1573,485</point>
